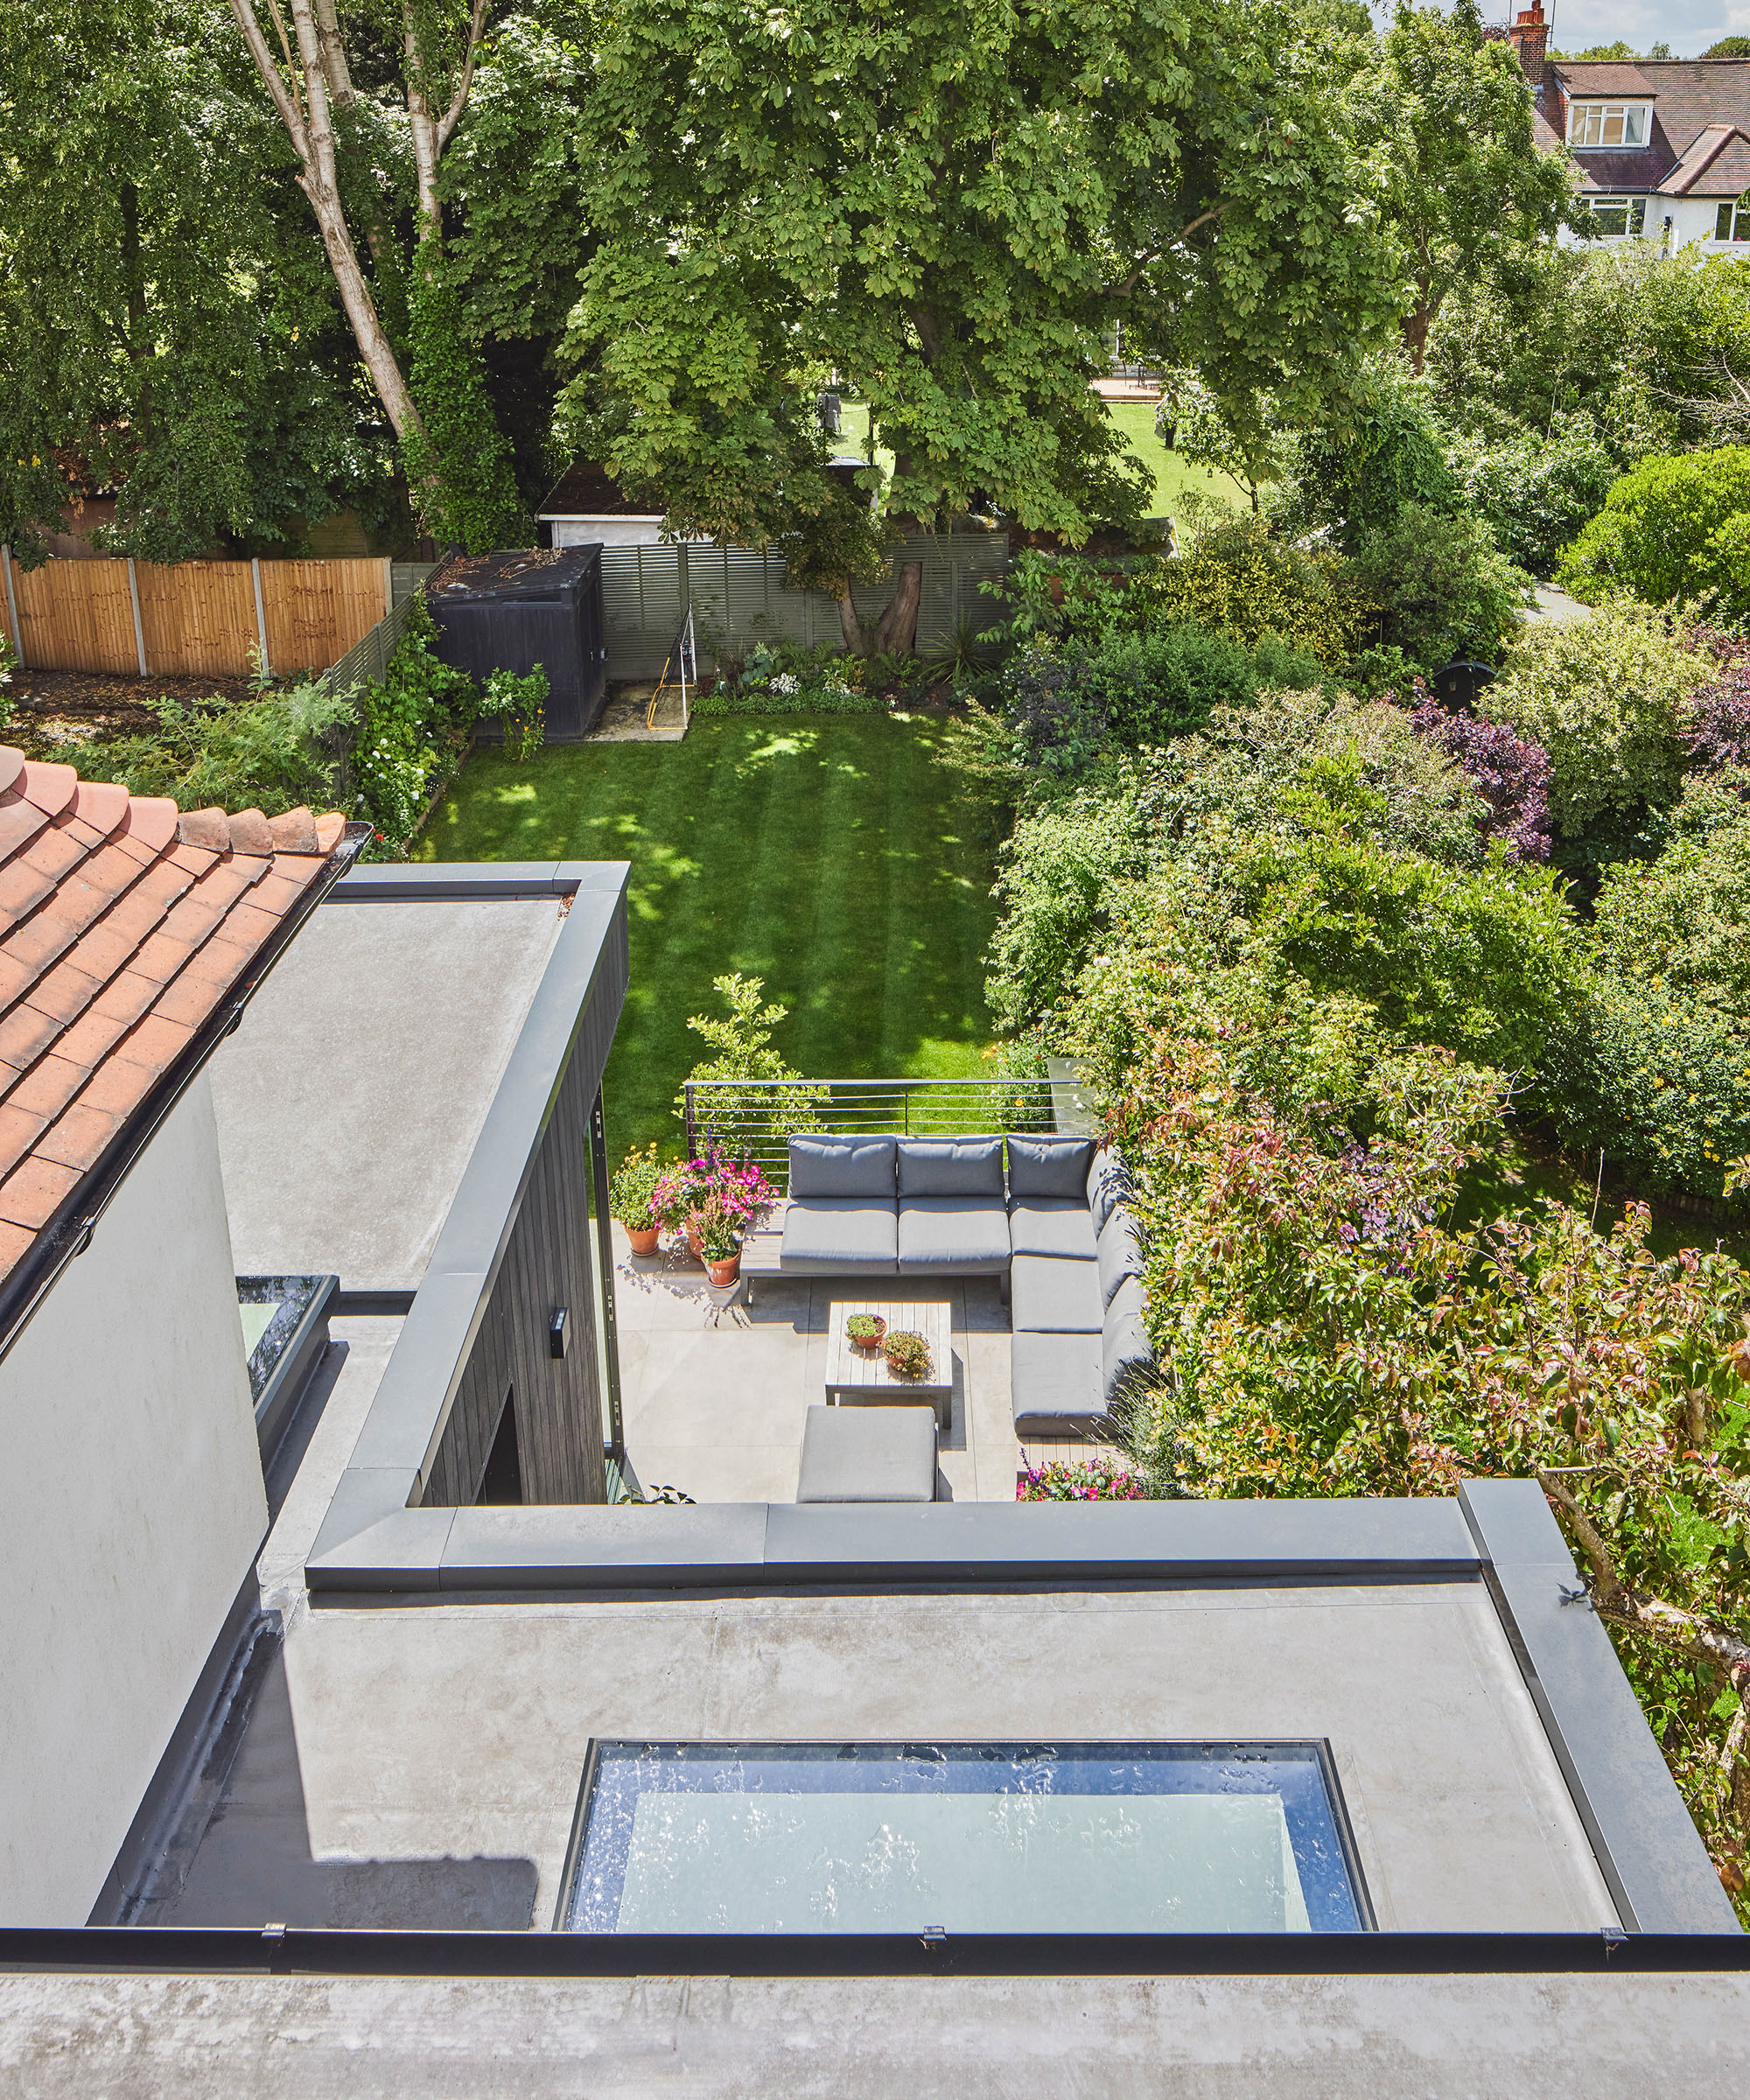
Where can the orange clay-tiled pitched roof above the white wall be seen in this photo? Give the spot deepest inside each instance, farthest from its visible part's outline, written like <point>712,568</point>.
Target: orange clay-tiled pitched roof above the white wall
<point>123,927</point>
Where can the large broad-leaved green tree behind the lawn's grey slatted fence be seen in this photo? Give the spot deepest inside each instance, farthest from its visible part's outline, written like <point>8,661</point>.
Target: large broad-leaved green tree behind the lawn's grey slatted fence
<point>951,207</point>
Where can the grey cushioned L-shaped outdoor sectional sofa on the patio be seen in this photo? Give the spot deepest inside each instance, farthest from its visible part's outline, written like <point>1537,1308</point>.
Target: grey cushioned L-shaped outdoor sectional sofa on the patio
<point>1054,1227</point>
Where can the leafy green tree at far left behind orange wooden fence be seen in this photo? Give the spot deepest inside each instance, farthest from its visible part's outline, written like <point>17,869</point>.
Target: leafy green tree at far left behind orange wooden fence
<point>167,327</point>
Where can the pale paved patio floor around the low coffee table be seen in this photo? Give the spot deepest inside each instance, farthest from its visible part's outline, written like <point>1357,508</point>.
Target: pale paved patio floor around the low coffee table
<point>713,1402</point>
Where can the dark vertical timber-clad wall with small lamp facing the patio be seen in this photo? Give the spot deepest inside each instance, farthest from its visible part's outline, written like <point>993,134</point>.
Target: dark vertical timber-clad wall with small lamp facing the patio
<point>547,1267</point>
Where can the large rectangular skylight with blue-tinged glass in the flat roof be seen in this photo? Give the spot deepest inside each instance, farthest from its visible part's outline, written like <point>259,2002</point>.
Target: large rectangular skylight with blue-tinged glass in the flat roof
<point>965,1836</point>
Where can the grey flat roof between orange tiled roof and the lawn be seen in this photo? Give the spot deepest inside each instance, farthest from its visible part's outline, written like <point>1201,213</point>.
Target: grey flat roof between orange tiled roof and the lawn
<point>352,1097</point>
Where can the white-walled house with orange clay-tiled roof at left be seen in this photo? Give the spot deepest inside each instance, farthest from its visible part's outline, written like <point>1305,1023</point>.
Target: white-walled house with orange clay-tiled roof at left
<point>131,1490</point>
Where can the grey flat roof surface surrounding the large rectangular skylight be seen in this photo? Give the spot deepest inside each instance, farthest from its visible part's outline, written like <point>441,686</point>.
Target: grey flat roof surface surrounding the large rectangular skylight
<point>419,1767</point>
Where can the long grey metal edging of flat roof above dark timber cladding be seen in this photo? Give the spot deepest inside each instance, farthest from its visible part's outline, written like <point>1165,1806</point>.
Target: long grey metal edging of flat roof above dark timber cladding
<point>375,1503</point>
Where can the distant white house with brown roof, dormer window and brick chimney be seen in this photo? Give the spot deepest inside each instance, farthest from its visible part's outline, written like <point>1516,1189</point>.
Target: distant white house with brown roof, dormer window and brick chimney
<point>1661,146</point>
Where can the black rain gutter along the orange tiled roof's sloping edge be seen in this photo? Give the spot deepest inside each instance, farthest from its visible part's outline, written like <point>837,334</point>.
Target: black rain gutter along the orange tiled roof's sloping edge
<point>70,1227</point>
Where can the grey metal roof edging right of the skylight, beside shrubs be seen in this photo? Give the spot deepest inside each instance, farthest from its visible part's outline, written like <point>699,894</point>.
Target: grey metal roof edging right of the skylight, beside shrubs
<point>1648,1849</point>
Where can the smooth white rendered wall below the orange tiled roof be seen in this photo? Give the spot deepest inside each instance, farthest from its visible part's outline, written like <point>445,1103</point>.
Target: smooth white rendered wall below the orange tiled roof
<point>131,1509</point>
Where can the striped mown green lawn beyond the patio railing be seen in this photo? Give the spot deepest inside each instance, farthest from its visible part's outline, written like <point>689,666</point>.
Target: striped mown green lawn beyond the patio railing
<point>831,856</point>
